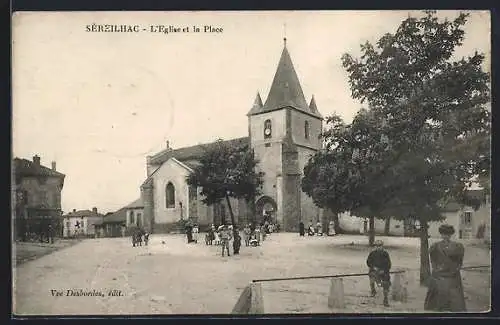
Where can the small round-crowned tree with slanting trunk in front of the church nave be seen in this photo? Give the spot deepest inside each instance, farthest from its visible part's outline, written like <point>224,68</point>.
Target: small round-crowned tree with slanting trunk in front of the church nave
<point>226,171</point>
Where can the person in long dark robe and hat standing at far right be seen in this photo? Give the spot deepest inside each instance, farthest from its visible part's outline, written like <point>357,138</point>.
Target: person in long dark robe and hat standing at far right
<point>445,290</point>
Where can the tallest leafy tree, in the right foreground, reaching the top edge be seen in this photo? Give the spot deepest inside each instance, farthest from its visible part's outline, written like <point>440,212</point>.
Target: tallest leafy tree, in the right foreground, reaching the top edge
<point>433,107</point>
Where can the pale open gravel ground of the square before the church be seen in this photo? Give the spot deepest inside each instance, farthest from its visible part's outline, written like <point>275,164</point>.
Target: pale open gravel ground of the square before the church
<point>172,277</point>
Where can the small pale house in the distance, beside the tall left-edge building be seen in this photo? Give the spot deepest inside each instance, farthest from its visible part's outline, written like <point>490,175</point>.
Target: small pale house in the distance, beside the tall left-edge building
<point>81,223</point>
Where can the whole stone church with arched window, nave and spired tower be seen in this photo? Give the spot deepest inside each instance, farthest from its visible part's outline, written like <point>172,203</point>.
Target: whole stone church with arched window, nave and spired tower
<point>283,131</point>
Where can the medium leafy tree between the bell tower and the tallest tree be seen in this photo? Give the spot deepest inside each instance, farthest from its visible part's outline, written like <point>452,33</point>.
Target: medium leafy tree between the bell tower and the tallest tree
<point>351,172</point>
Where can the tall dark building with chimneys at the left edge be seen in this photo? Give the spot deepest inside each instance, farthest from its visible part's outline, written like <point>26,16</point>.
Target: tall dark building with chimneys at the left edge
<point>36,192</point>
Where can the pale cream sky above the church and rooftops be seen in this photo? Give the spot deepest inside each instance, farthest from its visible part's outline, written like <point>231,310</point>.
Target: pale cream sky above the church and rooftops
<point>99,103</point>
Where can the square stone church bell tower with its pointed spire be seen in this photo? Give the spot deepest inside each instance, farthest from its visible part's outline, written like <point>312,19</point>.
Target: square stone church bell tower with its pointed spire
<point>284,131</point>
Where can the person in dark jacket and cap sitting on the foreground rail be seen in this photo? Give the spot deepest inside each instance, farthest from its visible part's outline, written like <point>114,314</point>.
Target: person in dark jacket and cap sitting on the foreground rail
<point>379,265</point>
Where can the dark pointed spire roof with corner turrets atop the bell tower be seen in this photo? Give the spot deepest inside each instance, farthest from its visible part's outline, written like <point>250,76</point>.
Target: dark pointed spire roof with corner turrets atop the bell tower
<point>285,90</point>
